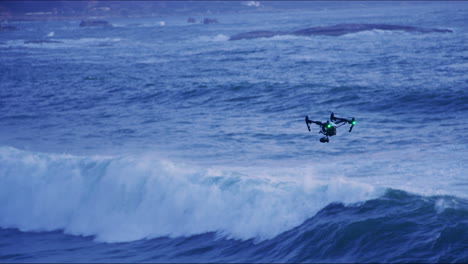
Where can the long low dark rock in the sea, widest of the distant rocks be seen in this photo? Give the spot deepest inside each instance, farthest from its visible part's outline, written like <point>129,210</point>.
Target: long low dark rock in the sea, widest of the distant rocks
<point>336,30</point>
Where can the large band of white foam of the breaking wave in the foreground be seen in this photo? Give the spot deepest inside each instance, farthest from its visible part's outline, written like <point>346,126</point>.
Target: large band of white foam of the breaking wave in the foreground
<point>130,198</point>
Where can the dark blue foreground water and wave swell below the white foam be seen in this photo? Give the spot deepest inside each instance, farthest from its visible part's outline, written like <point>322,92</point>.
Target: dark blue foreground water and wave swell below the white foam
<point>398,227</point>
